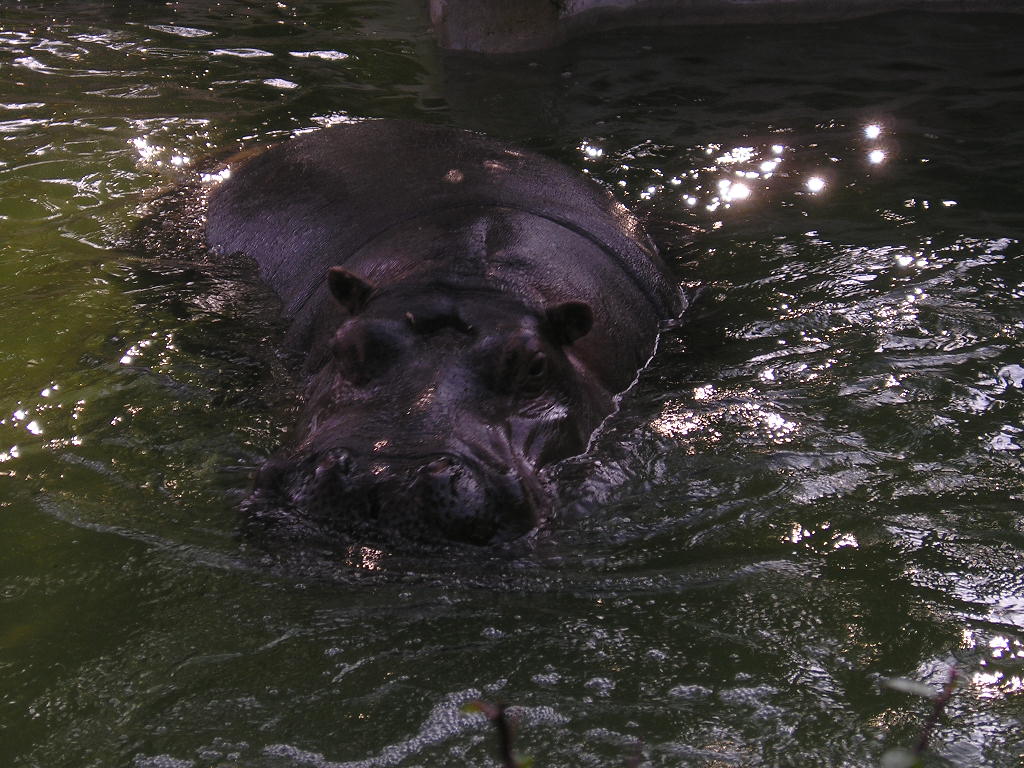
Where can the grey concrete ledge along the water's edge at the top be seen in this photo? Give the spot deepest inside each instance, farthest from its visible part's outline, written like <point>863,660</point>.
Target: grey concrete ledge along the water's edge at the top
<point>516,26</point>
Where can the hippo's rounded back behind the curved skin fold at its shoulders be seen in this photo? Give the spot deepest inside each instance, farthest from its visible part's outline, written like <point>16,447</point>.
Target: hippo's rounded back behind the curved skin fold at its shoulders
<point>313,202</point>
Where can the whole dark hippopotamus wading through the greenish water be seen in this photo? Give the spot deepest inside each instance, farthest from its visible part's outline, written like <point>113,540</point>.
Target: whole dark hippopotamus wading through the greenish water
<point>466,314</point>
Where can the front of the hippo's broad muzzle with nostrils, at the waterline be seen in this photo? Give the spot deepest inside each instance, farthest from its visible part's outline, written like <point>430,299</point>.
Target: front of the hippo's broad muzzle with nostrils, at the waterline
<point>444,498</point>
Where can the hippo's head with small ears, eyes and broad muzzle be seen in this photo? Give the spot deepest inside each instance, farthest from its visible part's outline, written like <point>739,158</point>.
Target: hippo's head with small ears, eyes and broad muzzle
<point>431,413</point>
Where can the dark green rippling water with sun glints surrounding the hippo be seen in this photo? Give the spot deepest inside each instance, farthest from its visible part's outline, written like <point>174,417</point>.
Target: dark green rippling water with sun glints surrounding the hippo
<point>816,487</point>
